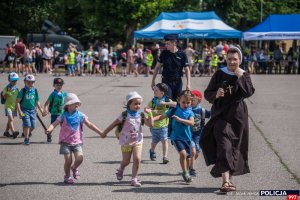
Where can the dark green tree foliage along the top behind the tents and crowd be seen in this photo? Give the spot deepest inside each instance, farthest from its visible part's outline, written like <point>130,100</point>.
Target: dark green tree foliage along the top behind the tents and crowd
<point>115,20</point>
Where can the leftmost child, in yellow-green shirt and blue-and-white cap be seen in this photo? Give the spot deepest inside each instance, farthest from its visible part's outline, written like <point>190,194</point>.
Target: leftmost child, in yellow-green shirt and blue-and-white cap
<point>9,94</point>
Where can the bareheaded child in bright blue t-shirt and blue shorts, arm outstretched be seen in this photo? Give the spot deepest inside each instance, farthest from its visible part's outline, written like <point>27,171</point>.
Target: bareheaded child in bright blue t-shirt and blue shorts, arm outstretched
<point>182,118</point>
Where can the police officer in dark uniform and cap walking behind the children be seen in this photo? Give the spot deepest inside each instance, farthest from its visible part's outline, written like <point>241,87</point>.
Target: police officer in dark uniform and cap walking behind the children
<point>174,61</point>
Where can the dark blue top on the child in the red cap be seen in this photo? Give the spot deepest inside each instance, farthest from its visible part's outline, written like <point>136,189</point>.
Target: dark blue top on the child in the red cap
<point>199,119</point>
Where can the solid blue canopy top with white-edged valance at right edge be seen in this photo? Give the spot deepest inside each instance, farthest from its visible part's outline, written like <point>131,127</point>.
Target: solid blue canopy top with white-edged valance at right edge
<point>276,27</point>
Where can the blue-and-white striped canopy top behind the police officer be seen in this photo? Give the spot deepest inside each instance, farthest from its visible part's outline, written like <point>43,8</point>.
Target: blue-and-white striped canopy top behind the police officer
<point>188,25</point>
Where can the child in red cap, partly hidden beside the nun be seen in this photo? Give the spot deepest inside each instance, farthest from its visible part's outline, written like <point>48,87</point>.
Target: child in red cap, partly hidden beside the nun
<point>200,115</point>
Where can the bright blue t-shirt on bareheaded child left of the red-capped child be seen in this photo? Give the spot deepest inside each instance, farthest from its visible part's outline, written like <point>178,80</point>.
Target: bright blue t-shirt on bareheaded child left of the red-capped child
<point>181,131</point>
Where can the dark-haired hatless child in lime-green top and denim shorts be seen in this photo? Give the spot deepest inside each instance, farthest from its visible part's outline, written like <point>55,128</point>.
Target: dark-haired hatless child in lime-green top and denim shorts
<point>159,131</point>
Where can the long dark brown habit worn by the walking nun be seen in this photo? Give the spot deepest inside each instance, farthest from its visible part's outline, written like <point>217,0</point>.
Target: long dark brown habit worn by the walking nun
<point>224,140</point>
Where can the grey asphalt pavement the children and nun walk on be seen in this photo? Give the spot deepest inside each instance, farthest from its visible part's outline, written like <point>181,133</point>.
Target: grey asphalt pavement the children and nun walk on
<point>36,171</point>
